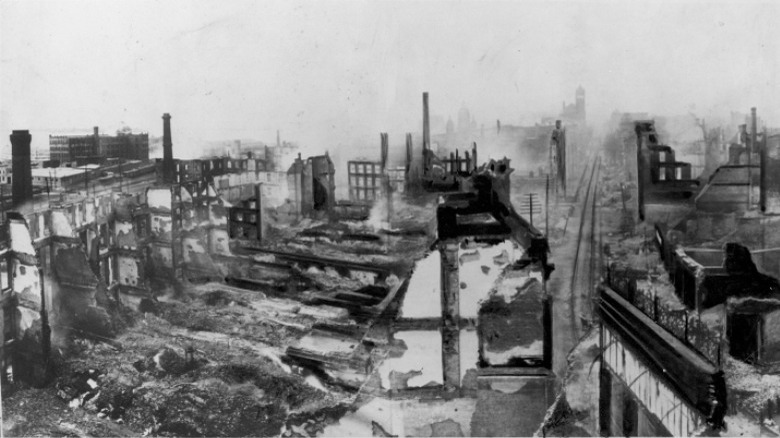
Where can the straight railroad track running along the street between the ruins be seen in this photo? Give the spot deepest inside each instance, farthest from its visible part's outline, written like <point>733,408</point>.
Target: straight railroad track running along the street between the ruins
<point>585,260</point>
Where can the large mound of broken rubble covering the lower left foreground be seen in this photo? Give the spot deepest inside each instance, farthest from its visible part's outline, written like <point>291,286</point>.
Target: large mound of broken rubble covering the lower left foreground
<point>207,364</point>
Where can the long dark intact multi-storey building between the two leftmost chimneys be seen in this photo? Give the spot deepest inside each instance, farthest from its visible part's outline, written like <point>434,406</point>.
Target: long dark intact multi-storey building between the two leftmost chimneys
<point>95,147</point>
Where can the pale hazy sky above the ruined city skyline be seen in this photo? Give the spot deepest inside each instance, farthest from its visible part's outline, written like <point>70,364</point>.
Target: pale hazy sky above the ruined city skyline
<point>330,73</point>
